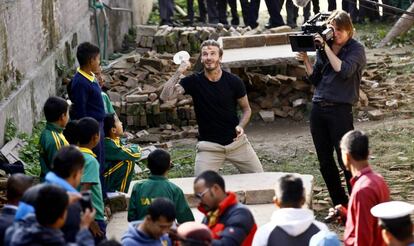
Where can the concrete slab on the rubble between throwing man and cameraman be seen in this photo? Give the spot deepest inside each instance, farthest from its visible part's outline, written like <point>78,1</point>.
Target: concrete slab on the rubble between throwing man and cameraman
<point>260,56</point>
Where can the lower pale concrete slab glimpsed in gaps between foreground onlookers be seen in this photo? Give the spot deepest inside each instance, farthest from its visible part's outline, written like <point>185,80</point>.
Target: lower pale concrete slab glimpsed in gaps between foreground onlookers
<point>118,224</point>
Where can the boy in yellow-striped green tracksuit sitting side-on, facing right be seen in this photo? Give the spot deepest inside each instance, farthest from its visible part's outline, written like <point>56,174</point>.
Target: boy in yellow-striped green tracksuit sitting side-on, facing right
<point>119,160</point>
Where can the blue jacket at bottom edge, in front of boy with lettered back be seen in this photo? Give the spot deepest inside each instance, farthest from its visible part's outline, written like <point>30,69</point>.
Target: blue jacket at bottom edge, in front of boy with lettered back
<point>135,237</point>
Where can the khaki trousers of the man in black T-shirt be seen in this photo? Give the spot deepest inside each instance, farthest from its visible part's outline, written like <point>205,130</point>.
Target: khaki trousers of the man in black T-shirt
<point>211,156</point>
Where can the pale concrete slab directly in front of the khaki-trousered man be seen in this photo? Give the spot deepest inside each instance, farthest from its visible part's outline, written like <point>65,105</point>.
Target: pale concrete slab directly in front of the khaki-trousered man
<point>251,188</point>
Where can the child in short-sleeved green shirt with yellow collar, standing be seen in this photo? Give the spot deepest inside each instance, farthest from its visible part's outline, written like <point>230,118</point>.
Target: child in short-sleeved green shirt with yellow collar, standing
<point>87,139</point>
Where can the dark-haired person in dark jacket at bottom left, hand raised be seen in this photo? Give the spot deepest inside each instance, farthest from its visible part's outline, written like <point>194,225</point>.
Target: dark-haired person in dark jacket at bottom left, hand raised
<point>51,212</point>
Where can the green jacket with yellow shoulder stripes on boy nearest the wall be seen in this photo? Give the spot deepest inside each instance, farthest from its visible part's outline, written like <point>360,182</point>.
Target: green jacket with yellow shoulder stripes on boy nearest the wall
<point>51,140</point>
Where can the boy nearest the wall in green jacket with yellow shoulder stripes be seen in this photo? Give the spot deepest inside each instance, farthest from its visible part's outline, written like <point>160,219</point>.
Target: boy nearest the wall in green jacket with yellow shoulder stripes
<point>56,111</point>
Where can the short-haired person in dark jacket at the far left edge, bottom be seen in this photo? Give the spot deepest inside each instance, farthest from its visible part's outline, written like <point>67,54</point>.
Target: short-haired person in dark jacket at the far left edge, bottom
<point>17,184</point>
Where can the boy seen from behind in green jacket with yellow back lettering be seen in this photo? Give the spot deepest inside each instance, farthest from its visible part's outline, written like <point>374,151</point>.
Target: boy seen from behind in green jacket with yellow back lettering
<point>157,185</point>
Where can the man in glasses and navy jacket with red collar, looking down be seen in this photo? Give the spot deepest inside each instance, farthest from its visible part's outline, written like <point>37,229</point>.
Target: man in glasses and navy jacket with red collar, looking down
<point>230,222</point>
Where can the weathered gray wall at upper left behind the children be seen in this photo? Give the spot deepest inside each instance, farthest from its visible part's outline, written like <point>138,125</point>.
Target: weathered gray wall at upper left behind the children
<point>35,36</point>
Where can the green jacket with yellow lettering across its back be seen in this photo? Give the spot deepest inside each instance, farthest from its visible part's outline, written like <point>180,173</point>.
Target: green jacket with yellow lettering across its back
<point>157,186</point>
